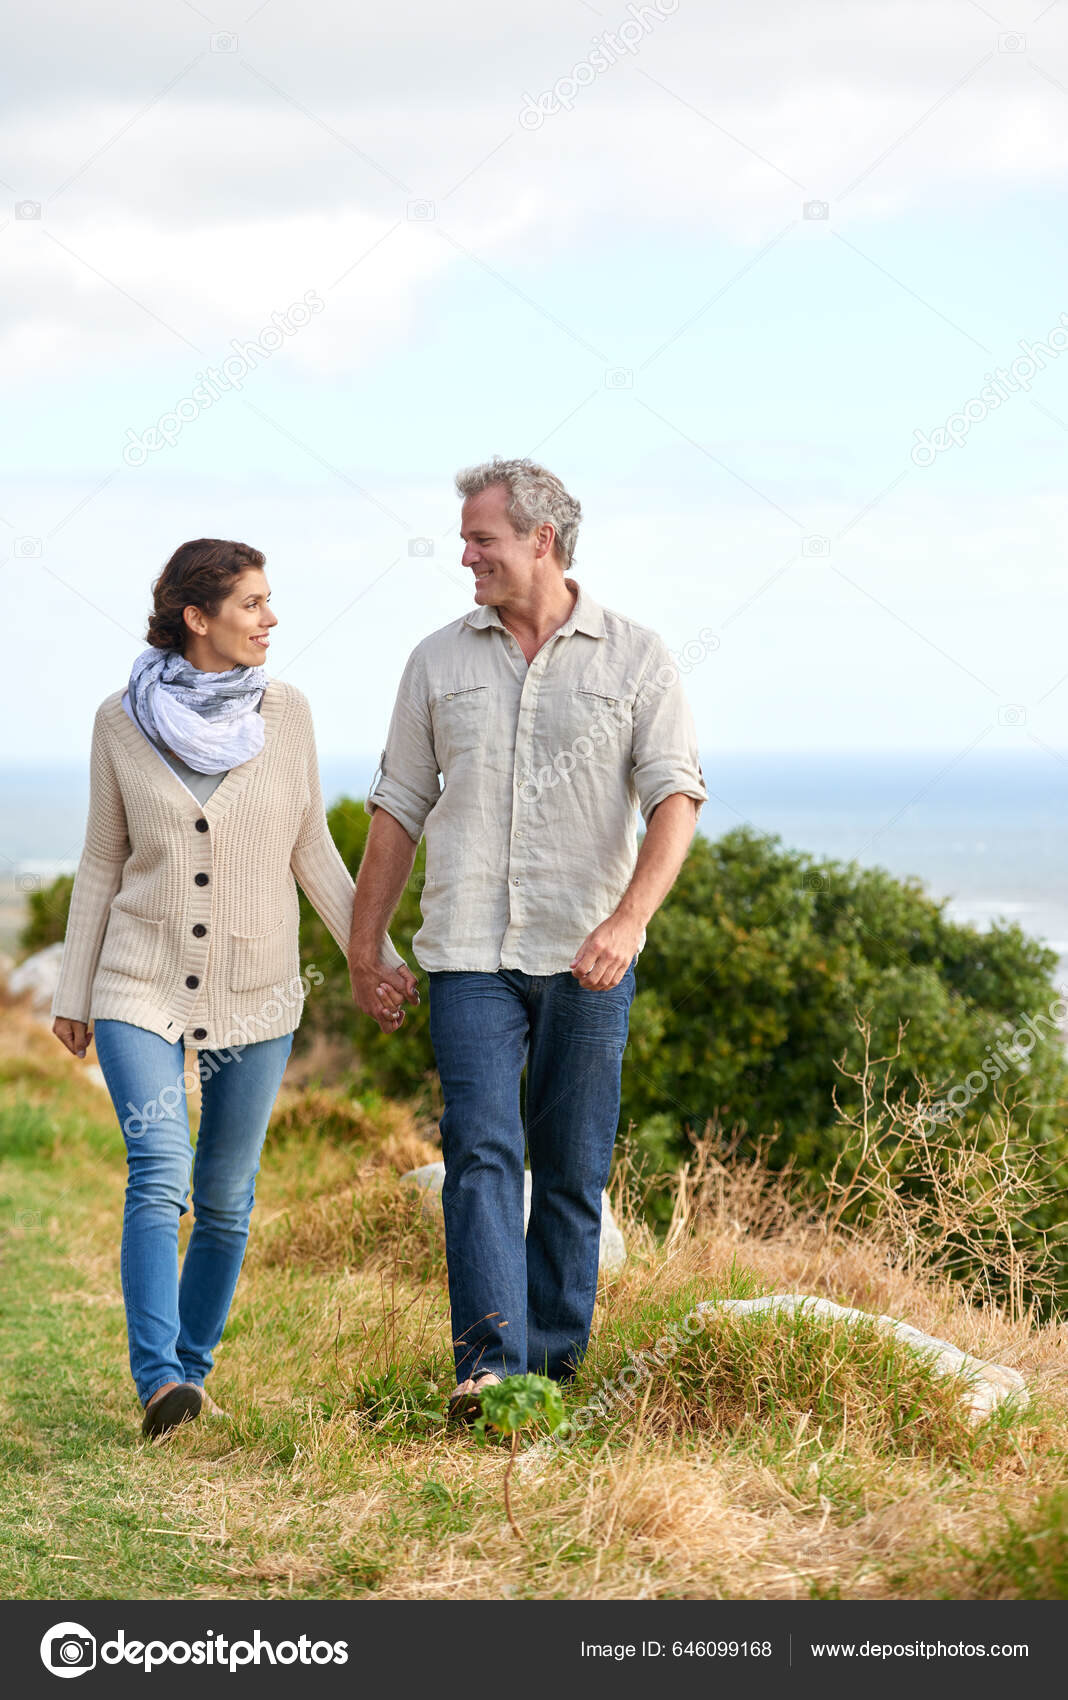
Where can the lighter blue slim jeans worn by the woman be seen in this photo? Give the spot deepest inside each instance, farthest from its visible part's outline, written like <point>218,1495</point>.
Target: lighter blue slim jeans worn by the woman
<point>174,1327</point>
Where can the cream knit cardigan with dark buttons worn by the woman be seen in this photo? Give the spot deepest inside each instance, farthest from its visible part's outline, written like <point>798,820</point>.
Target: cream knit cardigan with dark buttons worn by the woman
<point>185,915</point>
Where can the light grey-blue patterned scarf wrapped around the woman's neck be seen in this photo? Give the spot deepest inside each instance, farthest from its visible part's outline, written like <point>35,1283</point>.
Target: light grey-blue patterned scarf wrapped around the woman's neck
<point>208,720</point>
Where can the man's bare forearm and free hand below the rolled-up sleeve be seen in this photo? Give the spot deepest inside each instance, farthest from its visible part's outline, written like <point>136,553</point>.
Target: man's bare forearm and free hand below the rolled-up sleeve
<point>606,955</point>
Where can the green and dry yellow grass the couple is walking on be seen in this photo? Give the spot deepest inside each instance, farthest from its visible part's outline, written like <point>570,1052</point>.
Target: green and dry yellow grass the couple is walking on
<point>770,1458</point>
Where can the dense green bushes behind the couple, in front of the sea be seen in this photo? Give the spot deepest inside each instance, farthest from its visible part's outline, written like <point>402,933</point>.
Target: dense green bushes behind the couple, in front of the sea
<point>749,987</point>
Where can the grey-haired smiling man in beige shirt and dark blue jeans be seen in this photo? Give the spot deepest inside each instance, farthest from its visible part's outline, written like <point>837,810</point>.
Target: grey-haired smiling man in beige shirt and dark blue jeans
<point>550,722</point>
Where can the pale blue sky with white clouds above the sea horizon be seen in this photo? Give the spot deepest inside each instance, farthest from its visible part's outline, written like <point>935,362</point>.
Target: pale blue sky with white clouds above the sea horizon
<point>729,271</point>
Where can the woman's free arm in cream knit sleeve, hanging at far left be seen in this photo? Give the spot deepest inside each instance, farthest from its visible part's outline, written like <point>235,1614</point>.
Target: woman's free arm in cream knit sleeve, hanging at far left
<point>96,883</point>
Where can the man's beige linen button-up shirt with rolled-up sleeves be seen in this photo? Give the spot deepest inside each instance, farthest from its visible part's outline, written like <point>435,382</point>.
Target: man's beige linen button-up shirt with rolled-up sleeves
<point>533,830</point>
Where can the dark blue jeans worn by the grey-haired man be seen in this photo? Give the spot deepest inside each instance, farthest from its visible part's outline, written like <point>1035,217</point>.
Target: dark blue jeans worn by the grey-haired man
<point>526,1308</point>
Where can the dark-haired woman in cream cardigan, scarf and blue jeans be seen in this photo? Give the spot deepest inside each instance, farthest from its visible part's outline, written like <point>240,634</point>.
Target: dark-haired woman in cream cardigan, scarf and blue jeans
<point>205,805</point>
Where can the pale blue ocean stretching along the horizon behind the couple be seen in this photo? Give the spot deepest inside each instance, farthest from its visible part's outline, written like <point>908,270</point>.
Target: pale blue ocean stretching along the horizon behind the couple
<point>987,830</point>
